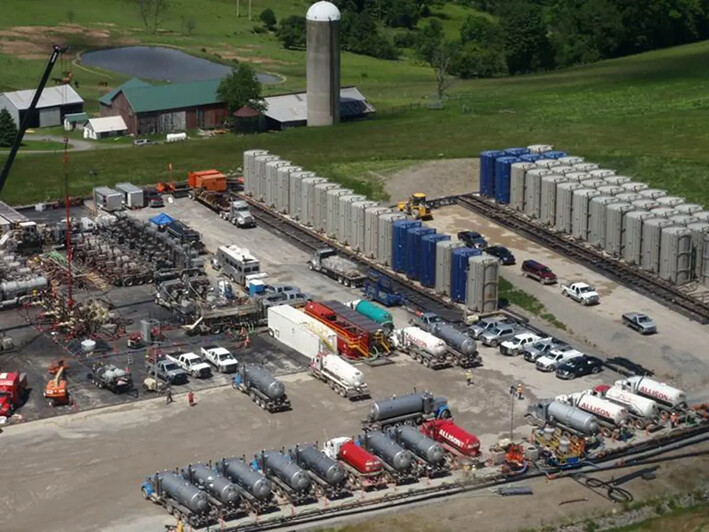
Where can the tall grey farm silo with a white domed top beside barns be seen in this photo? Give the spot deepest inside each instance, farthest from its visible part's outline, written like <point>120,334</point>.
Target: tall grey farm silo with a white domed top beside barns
<point>323,64</point>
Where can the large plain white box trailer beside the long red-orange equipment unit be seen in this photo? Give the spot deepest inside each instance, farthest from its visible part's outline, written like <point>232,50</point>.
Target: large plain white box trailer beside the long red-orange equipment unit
<point>300,332</point>
